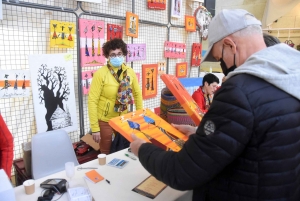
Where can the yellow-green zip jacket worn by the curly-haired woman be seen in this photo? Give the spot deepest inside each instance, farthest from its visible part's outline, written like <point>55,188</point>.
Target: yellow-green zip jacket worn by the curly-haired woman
<point>103,93</point>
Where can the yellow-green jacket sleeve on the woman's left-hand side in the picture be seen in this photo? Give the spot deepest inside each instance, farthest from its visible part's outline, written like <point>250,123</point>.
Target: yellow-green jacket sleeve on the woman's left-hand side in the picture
<point>93,101</point>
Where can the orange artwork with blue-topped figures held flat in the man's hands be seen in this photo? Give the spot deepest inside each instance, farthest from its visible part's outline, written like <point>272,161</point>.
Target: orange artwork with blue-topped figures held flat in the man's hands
<point>150,127</point>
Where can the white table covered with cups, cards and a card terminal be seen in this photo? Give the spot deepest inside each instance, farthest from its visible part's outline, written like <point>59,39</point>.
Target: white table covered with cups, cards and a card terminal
<point>122,181</point>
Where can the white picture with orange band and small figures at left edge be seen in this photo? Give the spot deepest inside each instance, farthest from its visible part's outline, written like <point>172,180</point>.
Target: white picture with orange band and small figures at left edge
<point>14,83</point>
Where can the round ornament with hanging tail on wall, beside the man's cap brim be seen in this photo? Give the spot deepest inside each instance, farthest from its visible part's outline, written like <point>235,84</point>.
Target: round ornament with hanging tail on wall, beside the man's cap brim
<point>203,18</point>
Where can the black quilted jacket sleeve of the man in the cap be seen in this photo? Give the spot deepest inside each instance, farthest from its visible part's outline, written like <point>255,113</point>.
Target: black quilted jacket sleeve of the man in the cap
<point>220,138</point>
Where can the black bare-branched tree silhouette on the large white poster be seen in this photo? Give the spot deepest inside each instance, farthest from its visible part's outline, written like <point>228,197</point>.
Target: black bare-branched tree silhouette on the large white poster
<point>53,91</point>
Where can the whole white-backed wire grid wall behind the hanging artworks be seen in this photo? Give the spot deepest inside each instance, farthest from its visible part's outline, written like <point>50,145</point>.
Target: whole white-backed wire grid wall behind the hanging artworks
<point>25,30</point>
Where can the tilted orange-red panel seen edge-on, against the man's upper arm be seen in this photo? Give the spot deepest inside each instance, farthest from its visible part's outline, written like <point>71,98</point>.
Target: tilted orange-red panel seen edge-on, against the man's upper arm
<point>183,97</point>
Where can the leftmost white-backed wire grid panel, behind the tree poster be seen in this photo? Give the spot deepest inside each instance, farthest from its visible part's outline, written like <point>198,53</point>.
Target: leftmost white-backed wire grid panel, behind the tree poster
<point>25,31</point>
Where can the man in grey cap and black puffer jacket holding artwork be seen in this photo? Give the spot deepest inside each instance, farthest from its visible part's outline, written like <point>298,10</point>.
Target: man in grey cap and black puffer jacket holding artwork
<point>247,147</point>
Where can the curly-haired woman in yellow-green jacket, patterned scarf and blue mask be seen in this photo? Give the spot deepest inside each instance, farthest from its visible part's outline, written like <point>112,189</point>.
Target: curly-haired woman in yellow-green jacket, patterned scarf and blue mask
<point>112,89</point>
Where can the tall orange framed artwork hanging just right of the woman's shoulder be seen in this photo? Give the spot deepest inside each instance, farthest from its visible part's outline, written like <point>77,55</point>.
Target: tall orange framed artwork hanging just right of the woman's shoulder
<point>149,80</point>
